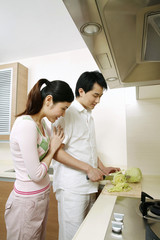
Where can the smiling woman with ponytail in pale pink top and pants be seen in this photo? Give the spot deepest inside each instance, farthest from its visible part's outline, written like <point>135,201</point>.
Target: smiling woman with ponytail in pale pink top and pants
<point>32,150</point>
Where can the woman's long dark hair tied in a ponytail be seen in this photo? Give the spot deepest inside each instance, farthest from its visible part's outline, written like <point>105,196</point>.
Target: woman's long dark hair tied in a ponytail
<point>59,90</point>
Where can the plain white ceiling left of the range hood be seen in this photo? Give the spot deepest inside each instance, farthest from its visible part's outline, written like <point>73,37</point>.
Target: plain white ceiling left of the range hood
<point>31,28</point>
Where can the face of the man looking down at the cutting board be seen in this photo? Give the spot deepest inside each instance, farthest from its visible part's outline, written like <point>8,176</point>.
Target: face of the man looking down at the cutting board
<point>91,98</point>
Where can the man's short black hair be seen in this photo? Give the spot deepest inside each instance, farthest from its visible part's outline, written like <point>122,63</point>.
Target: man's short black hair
<point>88,79</point>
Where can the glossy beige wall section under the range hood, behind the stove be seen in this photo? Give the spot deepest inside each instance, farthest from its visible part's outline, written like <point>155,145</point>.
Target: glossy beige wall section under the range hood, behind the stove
<point>143,135</point>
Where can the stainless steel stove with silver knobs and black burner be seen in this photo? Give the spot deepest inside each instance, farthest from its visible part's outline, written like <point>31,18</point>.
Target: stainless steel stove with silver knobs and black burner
<point>135,219</point>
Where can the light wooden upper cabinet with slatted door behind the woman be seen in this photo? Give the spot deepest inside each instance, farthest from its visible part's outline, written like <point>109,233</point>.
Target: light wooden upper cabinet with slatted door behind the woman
<point>13,95</point>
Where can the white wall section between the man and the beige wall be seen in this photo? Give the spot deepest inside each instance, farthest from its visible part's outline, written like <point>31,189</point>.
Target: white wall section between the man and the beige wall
<point>110,124</point>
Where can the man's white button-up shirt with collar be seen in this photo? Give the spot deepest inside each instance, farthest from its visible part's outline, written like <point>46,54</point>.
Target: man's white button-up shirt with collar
<point>80,143</point>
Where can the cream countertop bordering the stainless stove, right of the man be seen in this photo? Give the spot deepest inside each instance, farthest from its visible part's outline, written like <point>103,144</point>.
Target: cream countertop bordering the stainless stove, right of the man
<point>95,224</point>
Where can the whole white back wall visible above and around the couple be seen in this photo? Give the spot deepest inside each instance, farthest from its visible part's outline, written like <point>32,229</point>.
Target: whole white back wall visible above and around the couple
<point>109,115</point>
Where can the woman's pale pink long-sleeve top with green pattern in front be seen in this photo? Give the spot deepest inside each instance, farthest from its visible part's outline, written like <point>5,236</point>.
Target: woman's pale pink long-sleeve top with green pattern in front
<point>28,147</point>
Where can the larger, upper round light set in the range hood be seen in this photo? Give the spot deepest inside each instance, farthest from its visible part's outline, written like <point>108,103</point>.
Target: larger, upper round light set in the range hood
<point>90,28</point>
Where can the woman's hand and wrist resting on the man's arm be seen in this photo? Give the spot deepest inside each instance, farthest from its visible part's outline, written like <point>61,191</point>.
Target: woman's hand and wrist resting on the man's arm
<point>56,139</point>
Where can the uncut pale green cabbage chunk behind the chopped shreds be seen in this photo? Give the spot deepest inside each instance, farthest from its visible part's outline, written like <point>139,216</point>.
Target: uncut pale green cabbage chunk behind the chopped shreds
<point>134,173</point>
